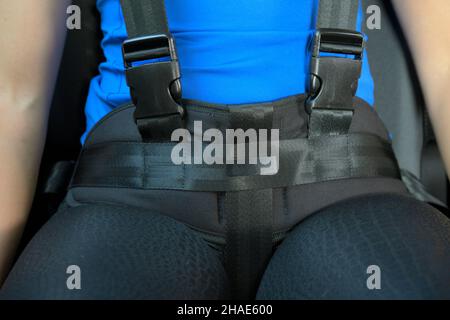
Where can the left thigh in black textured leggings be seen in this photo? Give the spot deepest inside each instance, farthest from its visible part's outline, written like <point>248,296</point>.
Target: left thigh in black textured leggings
<point>107,252</point>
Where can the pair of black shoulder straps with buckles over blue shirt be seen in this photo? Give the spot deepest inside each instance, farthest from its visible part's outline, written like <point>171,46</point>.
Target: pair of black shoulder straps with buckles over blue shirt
<point>156,88</point>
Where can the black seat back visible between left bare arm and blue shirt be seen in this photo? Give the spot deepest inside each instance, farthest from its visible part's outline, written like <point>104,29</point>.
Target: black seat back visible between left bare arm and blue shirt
<point>81,57</point>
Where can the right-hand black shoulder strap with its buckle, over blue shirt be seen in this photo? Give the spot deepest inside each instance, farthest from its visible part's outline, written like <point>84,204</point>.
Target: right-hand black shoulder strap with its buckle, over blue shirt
<point>334,80</point>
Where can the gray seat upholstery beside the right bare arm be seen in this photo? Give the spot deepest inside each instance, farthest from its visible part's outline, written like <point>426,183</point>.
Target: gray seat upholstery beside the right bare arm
<point>399,101</point>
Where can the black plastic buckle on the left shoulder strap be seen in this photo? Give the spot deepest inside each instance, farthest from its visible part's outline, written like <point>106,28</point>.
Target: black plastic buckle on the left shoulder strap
<point>155,86</point>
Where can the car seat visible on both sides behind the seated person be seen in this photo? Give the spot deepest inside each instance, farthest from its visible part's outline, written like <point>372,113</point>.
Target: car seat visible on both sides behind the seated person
<point>397,93</point>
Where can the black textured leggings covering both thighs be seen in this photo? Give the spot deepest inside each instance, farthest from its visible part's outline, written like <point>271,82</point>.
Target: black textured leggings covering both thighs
<point>129,254</point>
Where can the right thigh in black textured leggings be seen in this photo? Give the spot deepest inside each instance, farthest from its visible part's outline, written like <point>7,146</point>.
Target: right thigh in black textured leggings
<point>372,247</point>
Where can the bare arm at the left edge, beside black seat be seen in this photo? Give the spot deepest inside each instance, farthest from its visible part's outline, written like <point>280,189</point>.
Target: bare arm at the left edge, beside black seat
<point>31,41</point>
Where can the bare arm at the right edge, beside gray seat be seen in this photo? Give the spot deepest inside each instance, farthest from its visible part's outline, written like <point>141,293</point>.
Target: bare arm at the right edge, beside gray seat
<point>426,25</point>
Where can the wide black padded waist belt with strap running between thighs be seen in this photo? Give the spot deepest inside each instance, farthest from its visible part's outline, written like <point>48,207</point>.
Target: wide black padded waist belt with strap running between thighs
<point>235,202</point>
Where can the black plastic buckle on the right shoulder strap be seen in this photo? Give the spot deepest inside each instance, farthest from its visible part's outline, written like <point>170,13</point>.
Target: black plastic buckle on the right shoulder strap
<point>334,80</point>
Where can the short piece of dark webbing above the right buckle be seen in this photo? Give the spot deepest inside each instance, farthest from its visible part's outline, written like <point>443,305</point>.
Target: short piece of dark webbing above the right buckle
<point>337,14</point>
